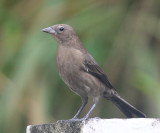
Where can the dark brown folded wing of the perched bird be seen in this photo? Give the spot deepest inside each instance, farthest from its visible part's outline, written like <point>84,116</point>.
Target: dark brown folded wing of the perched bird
<point>90,66</point>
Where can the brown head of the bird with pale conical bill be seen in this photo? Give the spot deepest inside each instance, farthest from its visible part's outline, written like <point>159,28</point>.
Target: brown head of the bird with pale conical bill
<point>61,32</point>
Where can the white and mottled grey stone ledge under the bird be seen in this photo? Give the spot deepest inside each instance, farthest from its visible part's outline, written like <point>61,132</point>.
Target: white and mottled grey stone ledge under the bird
<point>96,125</point>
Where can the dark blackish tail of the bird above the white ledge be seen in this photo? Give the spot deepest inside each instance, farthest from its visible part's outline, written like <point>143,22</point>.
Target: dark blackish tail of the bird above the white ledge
<point>127,109</point>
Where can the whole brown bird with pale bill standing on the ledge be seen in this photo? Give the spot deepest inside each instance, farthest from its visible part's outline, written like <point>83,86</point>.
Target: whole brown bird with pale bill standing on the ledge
<point>82,74</point>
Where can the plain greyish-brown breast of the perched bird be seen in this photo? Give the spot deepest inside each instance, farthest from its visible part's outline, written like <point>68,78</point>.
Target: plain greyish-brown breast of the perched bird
<point>68,62</point>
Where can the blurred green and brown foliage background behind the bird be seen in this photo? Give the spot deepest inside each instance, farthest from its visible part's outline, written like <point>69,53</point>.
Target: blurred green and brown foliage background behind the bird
<point>122,35</point>
